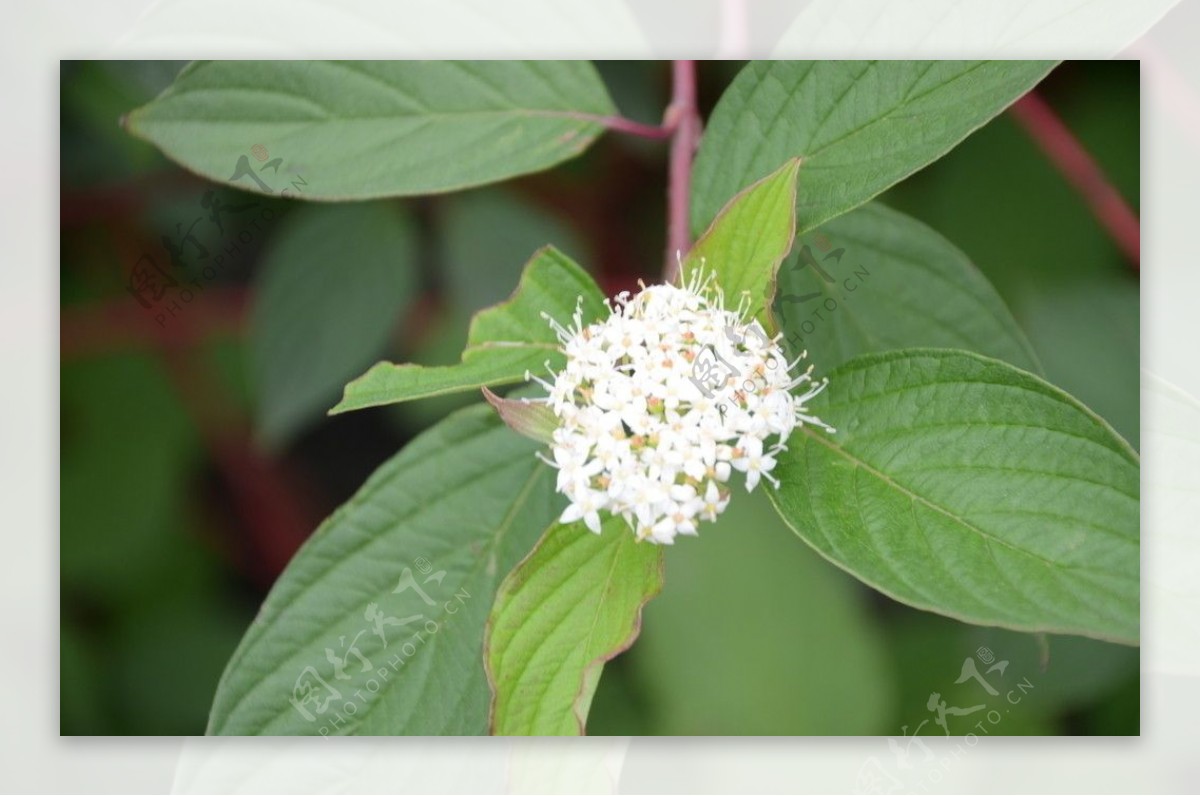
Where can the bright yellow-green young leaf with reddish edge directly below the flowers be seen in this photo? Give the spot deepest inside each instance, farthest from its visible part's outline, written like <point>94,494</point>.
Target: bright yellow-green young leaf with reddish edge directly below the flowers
<point>573,605</point>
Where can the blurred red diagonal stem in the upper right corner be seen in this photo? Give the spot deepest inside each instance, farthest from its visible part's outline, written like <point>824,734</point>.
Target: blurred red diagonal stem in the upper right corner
<point>1073,161</point>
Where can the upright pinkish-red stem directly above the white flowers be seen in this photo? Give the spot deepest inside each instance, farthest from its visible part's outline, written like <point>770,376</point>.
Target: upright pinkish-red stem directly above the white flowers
<point>685,121</point>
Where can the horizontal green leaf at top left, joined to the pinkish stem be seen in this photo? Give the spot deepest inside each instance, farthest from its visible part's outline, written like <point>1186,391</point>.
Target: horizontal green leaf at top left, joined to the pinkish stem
<point>359,130</point>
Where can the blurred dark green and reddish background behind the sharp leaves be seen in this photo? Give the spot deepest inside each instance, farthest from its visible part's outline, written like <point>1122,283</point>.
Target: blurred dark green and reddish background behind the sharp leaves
<point>196,456</point>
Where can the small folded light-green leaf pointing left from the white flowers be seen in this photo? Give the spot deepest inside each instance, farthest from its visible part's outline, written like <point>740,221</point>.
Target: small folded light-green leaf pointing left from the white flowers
<point>505,342</point>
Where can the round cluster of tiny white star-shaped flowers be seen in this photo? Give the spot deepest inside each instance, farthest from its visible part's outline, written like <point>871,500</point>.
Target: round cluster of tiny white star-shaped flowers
<point>659,402</point>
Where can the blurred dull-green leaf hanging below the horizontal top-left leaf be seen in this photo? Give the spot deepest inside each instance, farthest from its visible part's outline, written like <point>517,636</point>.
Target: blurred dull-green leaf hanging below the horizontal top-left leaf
<point>331,292</point>
